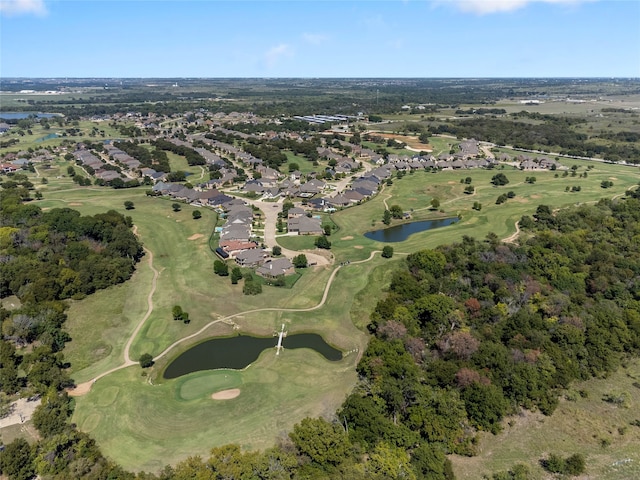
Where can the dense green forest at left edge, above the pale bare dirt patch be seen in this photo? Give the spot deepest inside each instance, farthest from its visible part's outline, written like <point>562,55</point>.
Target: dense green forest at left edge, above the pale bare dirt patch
<point>46,257</point>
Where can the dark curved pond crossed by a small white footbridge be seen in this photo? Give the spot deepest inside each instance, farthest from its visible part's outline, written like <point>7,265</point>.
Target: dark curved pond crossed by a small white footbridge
<point>239,352</point>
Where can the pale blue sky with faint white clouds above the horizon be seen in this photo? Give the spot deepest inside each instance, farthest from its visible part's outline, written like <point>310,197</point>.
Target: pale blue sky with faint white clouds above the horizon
<point>320,38</point>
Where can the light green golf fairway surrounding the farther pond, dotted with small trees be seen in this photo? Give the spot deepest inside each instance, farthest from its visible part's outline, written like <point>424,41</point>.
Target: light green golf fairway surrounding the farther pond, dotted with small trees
<point>415,191</point>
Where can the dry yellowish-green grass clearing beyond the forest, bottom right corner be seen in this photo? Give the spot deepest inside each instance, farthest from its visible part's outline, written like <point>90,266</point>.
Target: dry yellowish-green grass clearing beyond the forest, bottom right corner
<point>599,430</point>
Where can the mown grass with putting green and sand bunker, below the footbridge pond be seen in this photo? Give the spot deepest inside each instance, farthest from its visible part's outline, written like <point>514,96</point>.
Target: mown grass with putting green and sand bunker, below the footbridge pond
<point>145,426</point>
